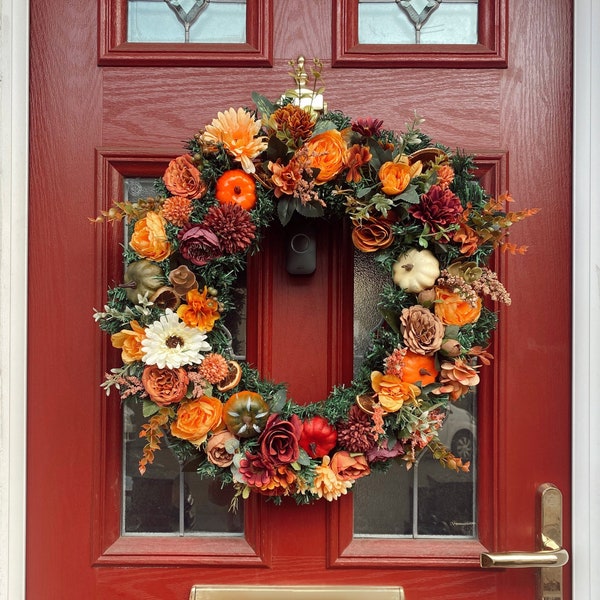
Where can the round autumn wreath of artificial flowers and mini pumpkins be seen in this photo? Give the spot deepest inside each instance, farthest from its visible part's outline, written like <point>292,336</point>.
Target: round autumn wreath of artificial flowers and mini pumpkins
<point>415,208</point>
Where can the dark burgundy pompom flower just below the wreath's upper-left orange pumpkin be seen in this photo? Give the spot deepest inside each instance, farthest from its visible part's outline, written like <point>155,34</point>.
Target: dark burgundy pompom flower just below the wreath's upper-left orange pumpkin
<point>232,225</point>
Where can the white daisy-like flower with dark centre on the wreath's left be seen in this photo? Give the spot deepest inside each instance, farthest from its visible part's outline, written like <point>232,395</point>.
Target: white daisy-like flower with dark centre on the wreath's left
<point>171,343</point>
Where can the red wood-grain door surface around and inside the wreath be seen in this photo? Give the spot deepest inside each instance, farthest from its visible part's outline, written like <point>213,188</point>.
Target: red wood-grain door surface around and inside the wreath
<point>90,122</point>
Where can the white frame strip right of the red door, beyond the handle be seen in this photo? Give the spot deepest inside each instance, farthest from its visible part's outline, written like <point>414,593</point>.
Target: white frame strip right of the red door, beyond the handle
<point>586,301</point>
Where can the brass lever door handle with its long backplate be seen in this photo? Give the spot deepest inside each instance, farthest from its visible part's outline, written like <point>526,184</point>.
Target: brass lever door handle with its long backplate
<point>550,554</point>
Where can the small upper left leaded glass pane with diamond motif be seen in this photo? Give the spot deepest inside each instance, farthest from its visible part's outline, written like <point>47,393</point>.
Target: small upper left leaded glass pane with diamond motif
<point>180,21</point>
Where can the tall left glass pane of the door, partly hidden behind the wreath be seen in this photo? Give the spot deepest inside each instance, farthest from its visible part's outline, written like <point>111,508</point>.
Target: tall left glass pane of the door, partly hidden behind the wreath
<point>170,498</point>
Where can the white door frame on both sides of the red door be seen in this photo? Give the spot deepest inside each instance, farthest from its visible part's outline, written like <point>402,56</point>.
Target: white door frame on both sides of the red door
<point>14,45</point>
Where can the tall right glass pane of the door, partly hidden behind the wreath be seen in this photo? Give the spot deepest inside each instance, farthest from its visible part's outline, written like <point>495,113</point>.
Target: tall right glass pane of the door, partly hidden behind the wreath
<point>427,500</point>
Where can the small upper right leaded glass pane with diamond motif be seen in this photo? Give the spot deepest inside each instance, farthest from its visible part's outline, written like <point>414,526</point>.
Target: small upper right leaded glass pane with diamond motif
<point>417,22</point>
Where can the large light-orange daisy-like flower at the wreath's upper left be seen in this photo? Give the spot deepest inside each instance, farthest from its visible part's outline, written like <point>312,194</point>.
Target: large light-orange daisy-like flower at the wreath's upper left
<point>238,132</point>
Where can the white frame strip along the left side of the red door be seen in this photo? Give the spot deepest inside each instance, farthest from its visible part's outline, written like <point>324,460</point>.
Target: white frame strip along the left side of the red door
<point>14,101</point>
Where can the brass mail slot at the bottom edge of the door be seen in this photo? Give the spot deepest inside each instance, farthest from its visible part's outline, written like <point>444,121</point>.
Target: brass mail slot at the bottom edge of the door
<point>295,592</point>
